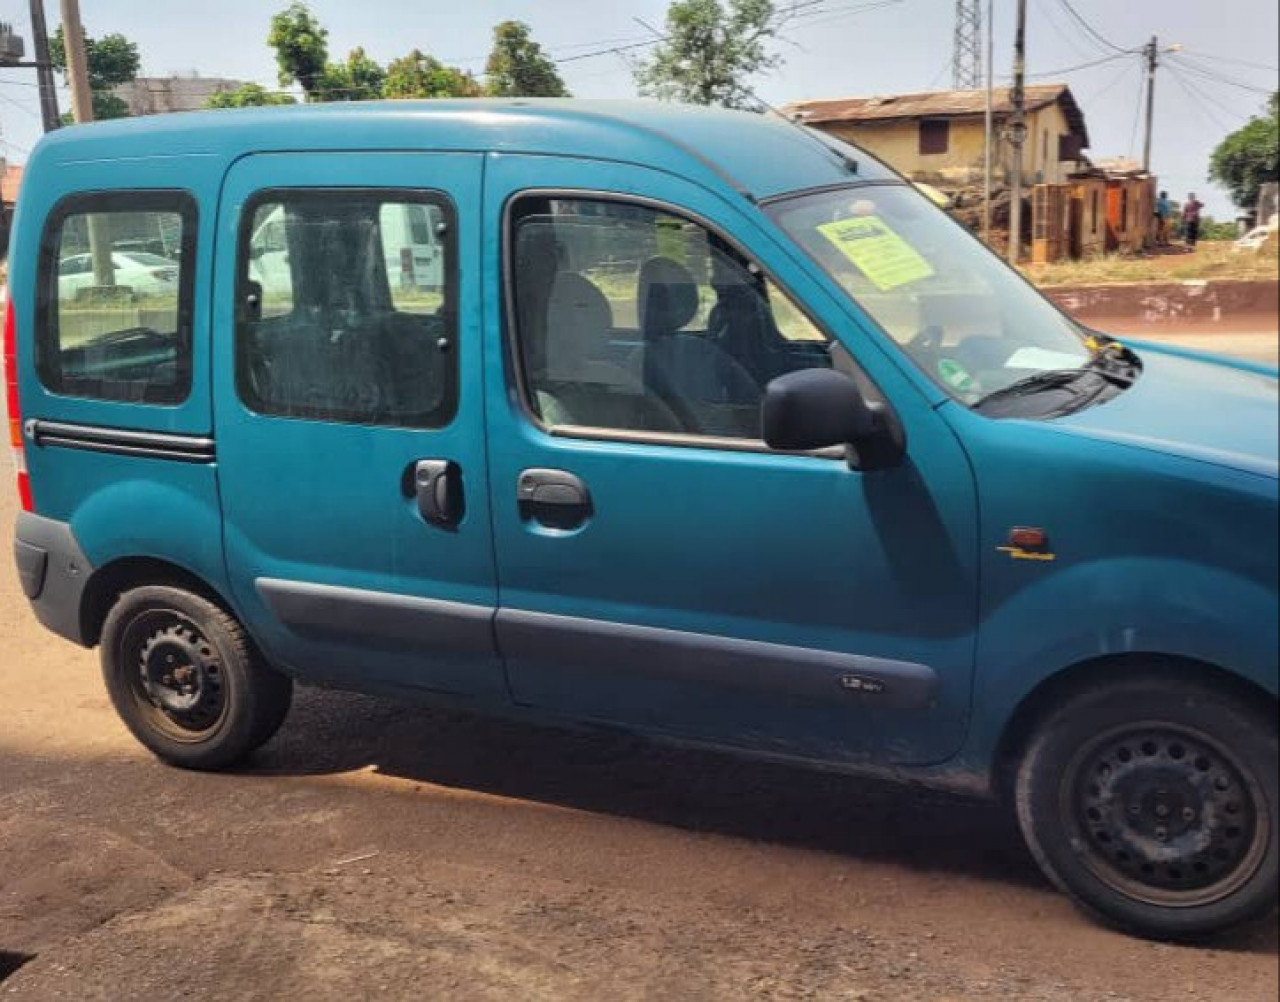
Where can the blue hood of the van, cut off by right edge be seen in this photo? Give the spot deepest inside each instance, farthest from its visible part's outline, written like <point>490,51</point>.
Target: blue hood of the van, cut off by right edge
<point>1200,406</point>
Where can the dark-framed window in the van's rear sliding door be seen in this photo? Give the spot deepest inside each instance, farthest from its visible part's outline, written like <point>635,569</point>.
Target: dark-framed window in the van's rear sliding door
<point>348,308</point>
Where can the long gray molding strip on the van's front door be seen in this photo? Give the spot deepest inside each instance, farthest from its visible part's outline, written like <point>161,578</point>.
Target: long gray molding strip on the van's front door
<point>679,656</point>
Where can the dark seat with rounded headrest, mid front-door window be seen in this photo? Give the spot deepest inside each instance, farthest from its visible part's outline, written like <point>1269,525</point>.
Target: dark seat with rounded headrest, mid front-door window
<point>703,383</point>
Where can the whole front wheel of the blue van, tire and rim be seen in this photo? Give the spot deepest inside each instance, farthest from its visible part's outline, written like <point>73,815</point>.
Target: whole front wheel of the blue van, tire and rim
<point>1153,802</point>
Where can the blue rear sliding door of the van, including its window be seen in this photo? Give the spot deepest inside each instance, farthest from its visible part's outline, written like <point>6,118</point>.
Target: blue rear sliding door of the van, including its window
<point>350,424</point>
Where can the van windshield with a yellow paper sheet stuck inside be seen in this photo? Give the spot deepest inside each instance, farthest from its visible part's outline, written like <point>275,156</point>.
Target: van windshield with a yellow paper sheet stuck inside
<point>962,315</point>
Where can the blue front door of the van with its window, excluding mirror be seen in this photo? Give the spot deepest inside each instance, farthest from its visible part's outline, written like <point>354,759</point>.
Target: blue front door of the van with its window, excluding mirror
<point>660,568</point>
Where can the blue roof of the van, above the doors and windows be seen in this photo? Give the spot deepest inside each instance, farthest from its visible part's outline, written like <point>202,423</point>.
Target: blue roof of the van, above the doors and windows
<point>760,155</point>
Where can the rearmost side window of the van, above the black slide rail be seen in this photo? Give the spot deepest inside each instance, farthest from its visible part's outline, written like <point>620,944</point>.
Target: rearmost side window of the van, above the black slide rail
<point>116,289</point>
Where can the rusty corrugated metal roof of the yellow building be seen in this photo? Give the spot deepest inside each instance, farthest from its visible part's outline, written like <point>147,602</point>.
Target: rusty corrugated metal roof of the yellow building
<point>938,104</point>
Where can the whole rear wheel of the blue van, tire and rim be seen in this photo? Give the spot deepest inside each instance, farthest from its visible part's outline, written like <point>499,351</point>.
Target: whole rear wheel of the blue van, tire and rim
<point>185,678</point>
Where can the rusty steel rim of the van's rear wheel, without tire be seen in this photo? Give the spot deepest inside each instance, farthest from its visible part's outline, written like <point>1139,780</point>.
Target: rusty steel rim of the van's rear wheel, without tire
<point>176,675</point>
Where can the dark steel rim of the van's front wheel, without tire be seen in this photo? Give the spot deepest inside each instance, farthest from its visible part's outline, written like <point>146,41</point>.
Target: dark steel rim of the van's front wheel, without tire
<point>1165,816</point>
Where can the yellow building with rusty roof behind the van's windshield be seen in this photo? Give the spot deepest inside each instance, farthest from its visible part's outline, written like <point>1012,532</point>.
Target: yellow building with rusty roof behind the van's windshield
<point>939,138</point>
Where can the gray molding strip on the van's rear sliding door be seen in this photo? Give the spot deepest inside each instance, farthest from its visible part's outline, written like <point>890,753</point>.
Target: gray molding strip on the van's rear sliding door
<point>381,617</point>
